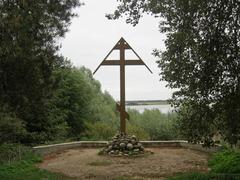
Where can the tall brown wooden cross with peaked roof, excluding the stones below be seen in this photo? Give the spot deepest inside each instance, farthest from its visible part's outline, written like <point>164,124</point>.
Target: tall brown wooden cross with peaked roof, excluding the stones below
<point>122,45</point>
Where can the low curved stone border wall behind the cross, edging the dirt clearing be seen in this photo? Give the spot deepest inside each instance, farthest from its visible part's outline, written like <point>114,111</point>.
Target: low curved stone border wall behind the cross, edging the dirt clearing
<point>53,148</point>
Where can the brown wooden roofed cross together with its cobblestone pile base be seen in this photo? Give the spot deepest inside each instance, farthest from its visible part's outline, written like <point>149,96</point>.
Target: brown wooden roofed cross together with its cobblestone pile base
<point>123,144</point>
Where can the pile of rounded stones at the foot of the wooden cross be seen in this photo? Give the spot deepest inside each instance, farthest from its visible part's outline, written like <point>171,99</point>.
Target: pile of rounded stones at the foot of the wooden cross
<point>123,145</point>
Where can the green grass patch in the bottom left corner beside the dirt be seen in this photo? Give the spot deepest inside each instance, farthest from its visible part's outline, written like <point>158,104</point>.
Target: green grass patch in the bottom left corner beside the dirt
<point>21,165</point>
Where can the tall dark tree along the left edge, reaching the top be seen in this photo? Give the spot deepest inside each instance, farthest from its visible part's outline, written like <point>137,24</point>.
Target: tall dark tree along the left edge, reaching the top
<point>29,34</point>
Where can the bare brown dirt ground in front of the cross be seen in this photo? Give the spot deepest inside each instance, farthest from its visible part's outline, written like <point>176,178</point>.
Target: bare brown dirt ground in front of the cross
<point>87,164</point>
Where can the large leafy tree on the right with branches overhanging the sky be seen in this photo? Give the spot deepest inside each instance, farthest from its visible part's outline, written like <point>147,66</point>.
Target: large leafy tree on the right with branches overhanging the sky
<point>201,60</point>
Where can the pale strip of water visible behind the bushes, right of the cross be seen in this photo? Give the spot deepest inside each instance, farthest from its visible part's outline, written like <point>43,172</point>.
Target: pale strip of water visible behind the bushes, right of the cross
<point>165,108</point>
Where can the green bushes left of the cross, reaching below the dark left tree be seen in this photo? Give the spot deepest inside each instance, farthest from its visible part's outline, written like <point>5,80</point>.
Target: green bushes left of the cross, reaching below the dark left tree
<point>77,100</point>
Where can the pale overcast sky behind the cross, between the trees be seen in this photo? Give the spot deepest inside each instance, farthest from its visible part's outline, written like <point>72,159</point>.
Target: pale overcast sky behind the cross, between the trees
<point>92,36</point>
